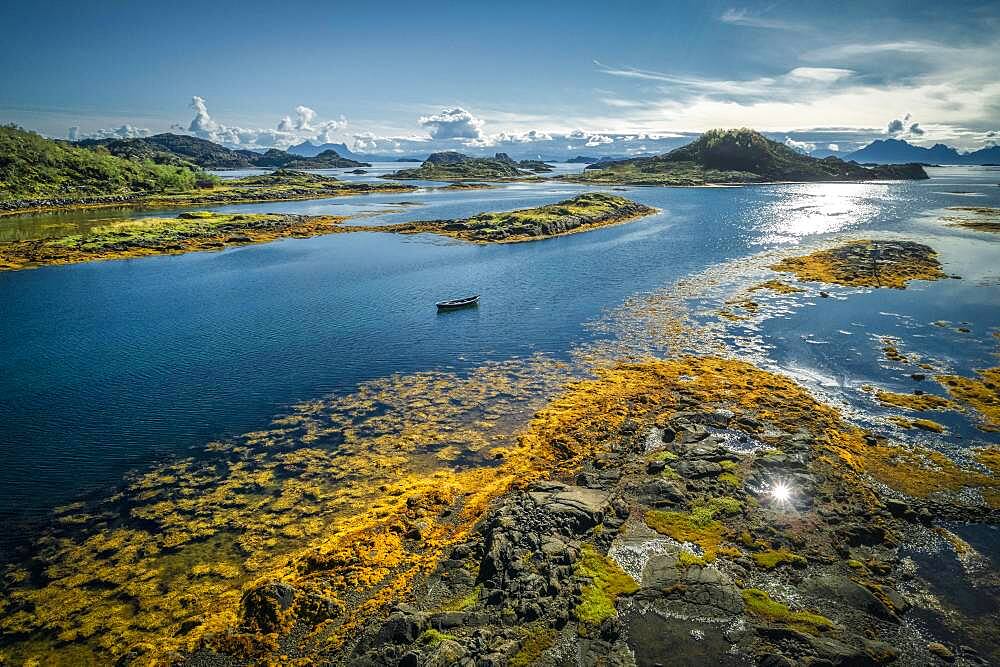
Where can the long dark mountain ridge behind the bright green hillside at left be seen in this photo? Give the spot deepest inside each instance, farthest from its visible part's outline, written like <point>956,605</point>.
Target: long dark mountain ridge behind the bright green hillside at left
<point>170,148</point>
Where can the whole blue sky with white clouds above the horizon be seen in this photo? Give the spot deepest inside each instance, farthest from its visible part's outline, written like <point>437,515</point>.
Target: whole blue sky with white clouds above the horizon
<point>595,78</point>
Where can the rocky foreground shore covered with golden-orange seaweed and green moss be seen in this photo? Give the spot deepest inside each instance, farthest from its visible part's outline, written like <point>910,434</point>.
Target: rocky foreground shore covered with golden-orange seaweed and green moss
<point>690,510</point>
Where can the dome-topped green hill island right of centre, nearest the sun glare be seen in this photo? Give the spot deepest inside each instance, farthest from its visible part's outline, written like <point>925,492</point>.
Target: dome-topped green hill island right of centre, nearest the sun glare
<point>738,156</point>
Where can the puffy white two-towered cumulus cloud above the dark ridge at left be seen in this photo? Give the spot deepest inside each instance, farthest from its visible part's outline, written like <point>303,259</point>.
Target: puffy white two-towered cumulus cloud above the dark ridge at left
<point>290,130</point>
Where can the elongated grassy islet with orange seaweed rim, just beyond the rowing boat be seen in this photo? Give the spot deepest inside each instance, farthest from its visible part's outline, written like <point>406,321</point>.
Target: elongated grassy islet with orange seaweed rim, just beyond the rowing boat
<point>579,214</point>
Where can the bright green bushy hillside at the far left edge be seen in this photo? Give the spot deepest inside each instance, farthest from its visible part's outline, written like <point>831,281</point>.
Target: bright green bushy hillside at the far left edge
<point>33,167</point>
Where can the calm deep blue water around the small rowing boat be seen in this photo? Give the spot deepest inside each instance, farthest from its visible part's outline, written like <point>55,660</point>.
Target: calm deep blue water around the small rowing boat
<point>105,367</point>
